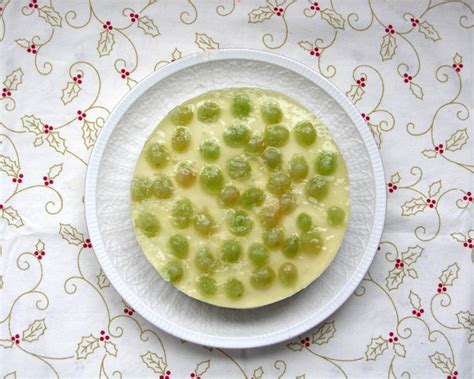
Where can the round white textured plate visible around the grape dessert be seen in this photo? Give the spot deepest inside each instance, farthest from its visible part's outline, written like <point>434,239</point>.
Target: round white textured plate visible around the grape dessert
<point>107,201</point>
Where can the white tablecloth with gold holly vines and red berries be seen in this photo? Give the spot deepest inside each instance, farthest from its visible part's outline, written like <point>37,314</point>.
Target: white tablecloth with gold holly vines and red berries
<point>406,65</point>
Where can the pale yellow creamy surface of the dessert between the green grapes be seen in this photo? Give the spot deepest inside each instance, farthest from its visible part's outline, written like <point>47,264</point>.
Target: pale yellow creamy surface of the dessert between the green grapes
<point>309,266</point>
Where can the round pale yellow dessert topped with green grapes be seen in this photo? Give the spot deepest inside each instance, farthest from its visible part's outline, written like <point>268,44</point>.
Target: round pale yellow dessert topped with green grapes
<point>240,197</point>
